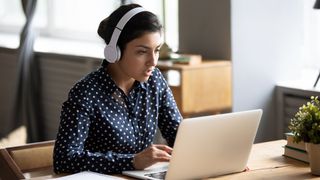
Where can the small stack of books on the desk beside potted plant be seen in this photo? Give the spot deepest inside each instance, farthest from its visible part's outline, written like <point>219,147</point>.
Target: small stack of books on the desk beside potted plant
<point>295,150</point>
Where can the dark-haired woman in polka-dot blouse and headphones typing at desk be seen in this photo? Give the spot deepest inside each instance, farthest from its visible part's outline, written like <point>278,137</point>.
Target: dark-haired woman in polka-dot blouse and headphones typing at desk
<point>110,118</point>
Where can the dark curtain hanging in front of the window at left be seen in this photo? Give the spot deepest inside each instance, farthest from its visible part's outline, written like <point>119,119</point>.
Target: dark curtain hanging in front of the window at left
<point>28,109</point>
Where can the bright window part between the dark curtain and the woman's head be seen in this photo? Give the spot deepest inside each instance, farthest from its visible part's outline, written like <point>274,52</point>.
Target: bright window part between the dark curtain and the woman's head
<point>77,18</point>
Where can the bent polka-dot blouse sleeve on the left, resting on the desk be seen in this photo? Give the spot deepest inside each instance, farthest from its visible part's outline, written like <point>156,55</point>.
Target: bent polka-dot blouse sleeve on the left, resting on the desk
<point>70,155</point>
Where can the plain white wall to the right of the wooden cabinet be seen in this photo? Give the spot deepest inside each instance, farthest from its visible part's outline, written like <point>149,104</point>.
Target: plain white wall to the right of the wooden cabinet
<point>267,38</point>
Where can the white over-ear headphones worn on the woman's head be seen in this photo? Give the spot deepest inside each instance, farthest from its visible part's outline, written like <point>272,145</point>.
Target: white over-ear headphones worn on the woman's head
<point>112,52</point>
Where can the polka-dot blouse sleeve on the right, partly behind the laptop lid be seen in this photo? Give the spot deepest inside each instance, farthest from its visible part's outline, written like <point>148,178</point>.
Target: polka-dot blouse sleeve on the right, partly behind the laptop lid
<point>169,114</point>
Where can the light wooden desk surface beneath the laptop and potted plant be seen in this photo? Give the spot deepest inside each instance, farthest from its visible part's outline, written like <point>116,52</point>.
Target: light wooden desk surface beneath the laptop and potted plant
<point>266,162</point>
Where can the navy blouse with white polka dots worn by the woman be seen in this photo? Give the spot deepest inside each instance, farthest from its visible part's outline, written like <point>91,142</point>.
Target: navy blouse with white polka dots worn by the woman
<point>101,128</point>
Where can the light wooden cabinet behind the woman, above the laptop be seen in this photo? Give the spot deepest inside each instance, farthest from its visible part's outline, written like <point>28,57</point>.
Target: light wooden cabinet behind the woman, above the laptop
<point>200,89</point>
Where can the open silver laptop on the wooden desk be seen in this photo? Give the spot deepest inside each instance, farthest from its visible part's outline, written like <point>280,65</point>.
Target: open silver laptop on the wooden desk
<point>208,146</point>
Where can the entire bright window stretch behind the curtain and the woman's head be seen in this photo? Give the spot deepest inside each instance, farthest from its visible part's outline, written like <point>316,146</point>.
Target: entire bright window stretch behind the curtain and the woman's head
<point>79,19</point>
